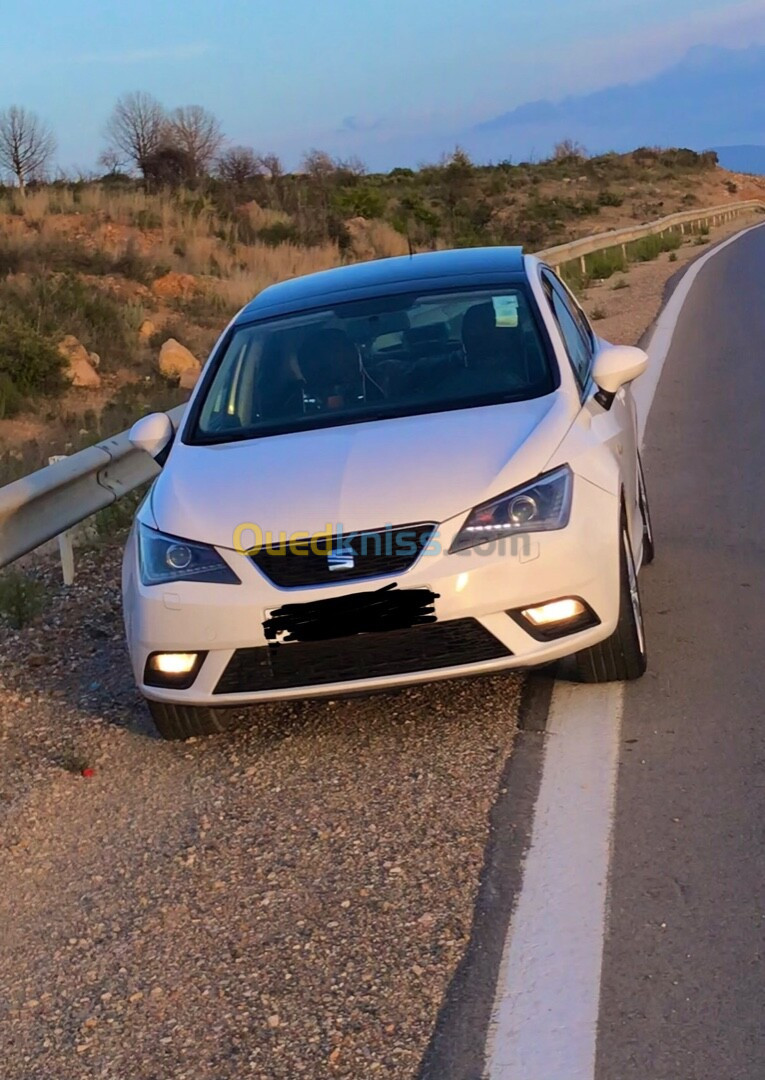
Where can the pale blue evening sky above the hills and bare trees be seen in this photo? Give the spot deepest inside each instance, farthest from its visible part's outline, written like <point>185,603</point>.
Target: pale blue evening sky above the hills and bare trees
<point>394,82</point>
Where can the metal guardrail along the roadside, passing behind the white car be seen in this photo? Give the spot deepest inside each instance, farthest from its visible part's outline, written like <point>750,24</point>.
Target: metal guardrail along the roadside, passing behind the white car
<point>44,505</point>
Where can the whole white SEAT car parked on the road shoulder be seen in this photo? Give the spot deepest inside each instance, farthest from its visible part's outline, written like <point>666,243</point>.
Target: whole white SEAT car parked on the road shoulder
<point>390,474</point>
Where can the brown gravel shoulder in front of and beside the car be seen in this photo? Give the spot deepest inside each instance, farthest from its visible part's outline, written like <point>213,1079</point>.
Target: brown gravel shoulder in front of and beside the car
<point>289,900</point>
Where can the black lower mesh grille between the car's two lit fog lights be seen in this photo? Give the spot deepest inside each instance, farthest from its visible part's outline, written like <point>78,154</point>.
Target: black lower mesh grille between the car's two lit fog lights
<point>367,656</point>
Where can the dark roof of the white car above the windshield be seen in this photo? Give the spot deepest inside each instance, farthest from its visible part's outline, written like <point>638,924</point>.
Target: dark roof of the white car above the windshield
<point>467,266</point>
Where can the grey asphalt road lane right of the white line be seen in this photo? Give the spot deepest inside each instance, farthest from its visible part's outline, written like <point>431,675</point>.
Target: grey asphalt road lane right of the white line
<point>683,988</point>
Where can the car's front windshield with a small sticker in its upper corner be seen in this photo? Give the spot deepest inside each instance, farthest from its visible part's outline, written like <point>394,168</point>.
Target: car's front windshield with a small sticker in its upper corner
<point>375,359</point>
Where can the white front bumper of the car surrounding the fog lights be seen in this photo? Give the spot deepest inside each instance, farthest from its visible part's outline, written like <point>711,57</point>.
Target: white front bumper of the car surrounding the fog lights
<point>476,591</point>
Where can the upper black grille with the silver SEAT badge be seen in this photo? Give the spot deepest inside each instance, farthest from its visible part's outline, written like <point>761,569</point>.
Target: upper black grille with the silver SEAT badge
<point>375,553</point>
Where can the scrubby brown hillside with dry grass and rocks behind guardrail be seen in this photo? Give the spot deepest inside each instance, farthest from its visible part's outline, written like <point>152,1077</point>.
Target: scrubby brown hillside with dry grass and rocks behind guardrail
<point>120,272</point>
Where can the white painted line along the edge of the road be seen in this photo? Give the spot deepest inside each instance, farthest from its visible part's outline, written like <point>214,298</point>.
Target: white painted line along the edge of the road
<point>545,1020</point>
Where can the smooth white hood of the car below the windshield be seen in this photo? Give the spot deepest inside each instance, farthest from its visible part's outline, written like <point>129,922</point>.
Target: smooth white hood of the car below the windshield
<point>358,477</point>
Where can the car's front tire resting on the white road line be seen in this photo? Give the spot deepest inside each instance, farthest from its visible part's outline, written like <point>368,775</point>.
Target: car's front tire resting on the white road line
<point>623,656</point>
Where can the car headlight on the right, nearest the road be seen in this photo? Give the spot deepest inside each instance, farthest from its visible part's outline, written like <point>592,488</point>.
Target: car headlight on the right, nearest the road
<point>539,507</point>
